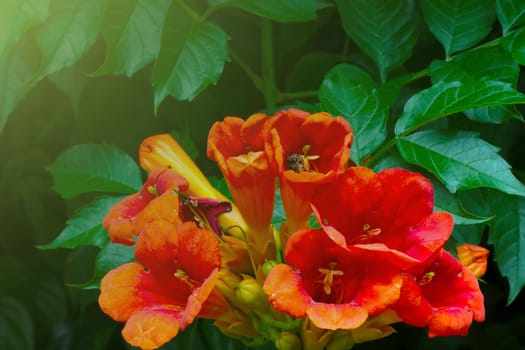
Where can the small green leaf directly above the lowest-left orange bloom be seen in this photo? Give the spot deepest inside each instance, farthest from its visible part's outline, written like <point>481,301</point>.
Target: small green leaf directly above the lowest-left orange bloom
<point>110,257</point>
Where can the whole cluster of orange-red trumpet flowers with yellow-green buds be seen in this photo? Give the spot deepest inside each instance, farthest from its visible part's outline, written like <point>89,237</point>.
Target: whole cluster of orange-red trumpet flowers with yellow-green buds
<point>374,258</point>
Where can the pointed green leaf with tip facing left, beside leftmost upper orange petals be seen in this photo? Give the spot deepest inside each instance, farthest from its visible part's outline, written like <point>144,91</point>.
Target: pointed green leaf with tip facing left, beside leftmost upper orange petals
<point>85,227</point>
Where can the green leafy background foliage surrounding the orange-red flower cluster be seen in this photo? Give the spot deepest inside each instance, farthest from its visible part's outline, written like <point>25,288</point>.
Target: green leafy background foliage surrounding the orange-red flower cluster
<point>430,85</point>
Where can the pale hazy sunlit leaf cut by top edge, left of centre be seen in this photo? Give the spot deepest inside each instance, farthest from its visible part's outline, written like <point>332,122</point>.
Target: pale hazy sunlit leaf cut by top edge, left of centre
<point>132,31</point>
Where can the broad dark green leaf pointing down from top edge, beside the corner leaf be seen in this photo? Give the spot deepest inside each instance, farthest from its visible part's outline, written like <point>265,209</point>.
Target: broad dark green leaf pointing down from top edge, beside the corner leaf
<point>458,25</point>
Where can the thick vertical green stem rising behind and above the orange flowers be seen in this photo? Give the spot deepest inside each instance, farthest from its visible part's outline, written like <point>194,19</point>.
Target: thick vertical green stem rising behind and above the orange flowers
<point>268,73</point>
